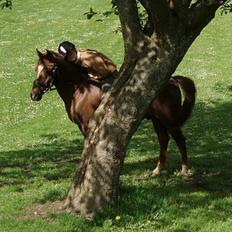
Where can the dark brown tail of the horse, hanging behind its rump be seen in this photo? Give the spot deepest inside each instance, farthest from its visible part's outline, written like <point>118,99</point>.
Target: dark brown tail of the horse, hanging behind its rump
<point>187,87</point>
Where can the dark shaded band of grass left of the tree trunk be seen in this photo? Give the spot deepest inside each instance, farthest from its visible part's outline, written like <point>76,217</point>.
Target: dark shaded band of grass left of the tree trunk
<point>52,161</point>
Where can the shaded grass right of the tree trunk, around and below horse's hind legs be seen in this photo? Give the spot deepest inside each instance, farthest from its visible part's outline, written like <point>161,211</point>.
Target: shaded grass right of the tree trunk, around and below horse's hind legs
<point>168,197</point>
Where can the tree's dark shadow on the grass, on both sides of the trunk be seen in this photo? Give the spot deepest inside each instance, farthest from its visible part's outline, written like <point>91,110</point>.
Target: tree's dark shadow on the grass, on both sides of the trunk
<point>161,200</point>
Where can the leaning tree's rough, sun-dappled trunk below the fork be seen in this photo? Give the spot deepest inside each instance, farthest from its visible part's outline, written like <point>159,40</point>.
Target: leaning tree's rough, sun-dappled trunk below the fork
<point>116,120</point>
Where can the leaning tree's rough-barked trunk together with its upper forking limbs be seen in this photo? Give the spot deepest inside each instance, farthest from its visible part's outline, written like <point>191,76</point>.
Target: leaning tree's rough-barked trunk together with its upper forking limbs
<point>152,54</point>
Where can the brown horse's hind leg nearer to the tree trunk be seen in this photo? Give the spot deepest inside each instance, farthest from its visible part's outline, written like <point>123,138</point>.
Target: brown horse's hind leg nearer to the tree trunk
<point>163,138</point>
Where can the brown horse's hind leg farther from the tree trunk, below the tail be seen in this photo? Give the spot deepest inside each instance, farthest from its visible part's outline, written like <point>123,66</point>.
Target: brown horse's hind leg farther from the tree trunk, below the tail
<point>180,142</point>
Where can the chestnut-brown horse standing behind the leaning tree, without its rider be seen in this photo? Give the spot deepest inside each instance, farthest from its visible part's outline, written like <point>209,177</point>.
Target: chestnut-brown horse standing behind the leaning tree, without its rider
<point>81,96</point>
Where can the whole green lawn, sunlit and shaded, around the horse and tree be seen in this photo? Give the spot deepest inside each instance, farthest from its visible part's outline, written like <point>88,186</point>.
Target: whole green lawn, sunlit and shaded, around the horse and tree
<point>40,147</point>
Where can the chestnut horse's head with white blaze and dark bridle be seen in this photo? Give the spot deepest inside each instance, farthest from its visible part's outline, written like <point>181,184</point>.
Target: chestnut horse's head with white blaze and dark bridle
<point>45,71</point>
